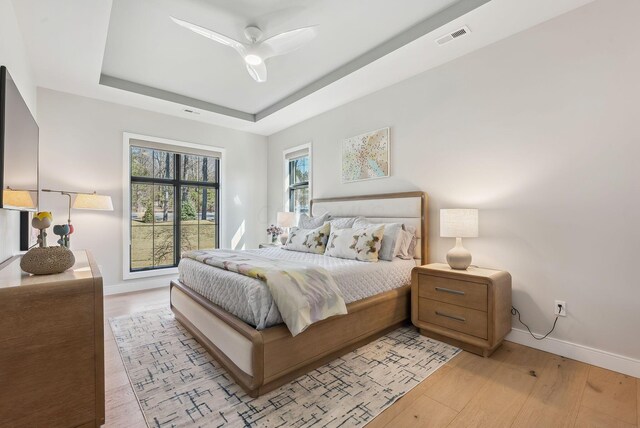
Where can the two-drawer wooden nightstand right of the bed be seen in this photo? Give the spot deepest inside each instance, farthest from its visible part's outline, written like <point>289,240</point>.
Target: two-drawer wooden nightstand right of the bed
<point>469,308</point>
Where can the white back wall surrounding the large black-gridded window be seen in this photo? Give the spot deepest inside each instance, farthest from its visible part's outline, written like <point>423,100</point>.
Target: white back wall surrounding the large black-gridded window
<point>81,149</point>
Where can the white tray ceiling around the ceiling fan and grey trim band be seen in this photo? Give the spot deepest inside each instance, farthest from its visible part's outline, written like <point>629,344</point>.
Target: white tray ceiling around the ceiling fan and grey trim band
<point>66,41</point>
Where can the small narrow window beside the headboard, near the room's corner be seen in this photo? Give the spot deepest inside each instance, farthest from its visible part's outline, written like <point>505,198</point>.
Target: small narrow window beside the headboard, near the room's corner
<point>298,173</point>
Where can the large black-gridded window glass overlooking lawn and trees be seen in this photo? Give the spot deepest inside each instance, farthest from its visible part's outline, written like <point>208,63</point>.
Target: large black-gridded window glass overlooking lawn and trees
<point>174,204</point>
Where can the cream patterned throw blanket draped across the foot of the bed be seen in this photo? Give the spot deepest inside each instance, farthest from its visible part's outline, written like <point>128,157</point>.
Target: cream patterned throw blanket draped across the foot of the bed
<point>304,293</point>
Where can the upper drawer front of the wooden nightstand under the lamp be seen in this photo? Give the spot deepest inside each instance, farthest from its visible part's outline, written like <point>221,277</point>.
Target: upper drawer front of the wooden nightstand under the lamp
<point>462,293</point>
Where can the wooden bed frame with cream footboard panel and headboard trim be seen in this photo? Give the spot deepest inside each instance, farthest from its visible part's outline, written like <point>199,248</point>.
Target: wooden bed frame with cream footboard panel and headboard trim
<point>262,360</point>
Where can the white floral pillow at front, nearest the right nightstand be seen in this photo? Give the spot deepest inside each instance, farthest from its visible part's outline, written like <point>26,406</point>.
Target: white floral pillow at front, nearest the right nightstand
<point>356,244</point>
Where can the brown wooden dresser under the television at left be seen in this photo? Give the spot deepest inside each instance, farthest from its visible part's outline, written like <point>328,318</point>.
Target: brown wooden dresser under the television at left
<point>51,346</point>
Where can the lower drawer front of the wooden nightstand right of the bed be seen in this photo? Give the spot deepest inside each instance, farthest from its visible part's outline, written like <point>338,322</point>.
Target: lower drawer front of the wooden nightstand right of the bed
<point>464,320</point>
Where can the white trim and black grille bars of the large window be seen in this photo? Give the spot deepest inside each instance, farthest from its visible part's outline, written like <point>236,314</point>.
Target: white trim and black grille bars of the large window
<point>176,182</point>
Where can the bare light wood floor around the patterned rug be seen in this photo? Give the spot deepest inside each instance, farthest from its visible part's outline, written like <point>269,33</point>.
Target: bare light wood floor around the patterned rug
<point>517,387</point>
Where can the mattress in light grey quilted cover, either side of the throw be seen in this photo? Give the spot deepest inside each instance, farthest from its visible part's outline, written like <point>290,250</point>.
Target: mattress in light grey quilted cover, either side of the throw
<point>250,300</point>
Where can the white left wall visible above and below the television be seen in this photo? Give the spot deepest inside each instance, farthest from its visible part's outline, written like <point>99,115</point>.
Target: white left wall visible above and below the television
<point>14,57</point>
